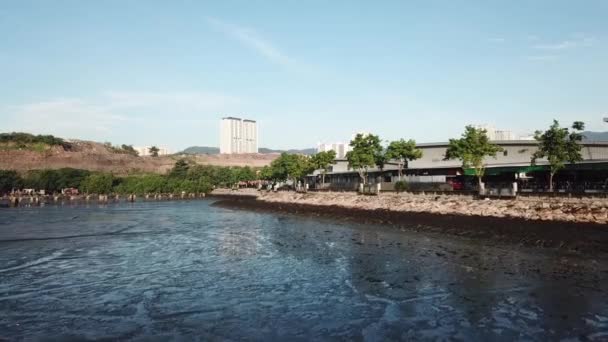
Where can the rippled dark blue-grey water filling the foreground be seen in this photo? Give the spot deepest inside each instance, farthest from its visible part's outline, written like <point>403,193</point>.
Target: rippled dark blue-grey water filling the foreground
<point>193,271</point>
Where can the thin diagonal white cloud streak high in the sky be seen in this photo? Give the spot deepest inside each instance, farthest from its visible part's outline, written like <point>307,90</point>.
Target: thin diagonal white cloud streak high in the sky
<point>253,40</point>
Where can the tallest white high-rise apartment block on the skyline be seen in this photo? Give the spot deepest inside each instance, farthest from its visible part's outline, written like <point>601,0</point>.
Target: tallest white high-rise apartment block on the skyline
<point>238,136</point>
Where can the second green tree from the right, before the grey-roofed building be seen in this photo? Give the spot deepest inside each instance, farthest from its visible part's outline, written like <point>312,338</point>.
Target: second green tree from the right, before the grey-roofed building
<point>472,148</point>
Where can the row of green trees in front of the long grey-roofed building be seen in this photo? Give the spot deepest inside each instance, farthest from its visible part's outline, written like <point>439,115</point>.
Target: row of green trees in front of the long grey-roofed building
<point>558,145</point>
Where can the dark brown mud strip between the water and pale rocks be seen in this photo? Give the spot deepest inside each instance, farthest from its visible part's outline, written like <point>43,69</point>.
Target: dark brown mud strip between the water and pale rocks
<point>585,238</point>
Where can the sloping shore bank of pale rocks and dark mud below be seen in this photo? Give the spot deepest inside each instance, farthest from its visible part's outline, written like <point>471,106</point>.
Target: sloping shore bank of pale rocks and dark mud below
<point>557,223</point>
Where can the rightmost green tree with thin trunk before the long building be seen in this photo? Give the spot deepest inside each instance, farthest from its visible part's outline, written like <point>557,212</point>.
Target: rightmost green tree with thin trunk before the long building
<point>559,145</point>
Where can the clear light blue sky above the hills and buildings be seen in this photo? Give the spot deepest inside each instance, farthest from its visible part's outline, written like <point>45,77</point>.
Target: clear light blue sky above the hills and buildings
<point>165,72</point>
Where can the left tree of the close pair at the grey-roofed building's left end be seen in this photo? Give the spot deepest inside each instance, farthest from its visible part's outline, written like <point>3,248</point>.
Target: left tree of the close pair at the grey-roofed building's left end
<point>366,152</point>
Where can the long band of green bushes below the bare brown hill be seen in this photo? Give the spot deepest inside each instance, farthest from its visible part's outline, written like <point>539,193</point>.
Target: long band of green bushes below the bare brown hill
<point>183,181</point>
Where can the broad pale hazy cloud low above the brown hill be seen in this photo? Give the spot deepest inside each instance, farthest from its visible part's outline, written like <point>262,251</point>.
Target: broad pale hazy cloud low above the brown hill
<point>97,117</point>
